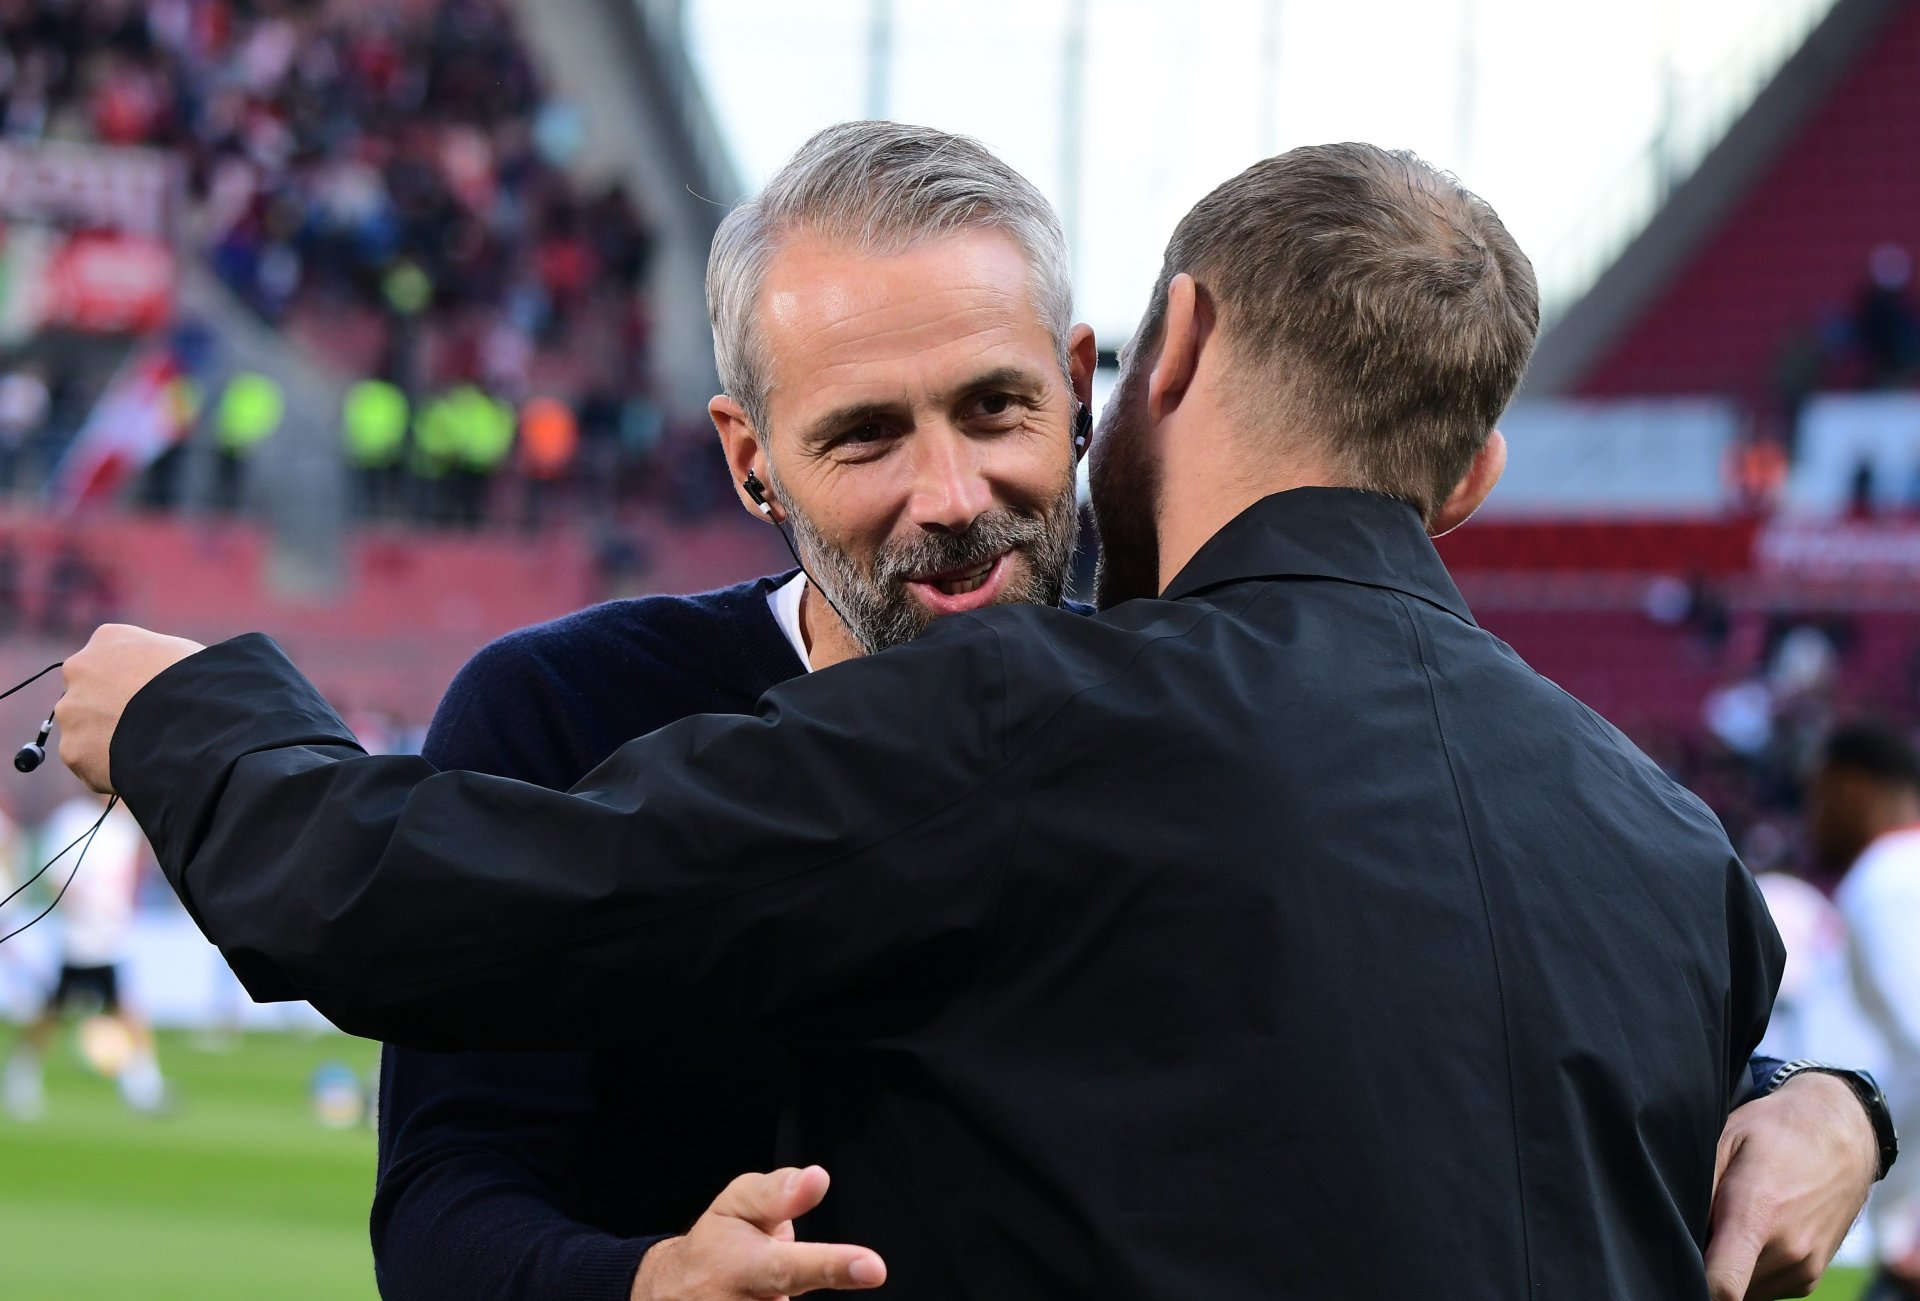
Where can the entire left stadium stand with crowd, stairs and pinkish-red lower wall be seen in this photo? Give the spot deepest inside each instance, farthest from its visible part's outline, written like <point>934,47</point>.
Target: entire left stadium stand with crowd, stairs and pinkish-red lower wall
<point>335,201</point>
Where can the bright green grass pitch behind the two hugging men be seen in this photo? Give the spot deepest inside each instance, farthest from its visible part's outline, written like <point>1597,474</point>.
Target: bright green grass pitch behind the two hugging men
<point>239,1195</point>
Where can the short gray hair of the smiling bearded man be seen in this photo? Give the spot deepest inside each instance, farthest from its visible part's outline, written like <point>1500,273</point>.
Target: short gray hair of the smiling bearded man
<point>880,189</point>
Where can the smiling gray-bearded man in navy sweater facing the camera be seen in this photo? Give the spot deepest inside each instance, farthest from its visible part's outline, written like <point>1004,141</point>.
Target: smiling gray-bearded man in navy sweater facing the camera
<point>924,485</point>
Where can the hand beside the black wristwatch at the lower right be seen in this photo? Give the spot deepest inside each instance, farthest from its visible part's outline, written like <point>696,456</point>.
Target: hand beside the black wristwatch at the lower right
<point>1790,1179</point>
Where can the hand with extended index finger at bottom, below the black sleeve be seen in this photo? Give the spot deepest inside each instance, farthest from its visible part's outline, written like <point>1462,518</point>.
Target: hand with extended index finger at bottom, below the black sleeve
<point>744,1248</point>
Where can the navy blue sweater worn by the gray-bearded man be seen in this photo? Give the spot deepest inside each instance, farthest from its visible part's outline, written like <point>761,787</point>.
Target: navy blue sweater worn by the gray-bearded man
<point>548,1175</point>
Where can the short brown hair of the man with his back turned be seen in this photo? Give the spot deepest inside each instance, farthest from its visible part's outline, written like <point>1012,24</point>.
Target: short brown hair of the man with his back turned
<point>1401,325</point>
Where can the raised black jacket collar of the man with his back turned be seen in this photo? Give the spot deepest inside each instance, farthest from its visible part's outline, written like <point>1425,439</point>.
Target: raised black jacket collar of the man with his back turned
<point>1326,532</point>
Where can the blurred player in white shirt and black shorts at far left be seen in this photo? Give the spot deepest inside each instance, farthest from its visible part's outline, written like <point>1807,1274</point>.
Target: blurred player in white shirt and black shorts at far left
<point>97,918</point>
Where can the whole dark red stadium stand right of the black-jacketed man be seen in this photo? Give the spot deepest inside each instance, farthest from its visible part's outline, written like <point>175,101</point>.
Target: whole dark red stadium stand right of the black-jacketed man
<point>1727,619</point>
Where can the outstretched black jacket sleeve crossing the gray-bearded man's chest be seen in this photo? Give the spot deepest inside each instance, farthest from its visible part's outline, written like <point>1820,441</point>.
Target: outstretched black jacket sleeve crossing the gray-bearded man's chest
<point>725,872</point>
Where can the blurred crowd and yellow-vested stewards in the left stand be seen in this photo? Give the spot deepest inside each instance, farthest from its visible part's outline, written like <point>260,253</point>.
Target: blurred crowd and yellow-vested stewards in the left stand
<point>391,174</point>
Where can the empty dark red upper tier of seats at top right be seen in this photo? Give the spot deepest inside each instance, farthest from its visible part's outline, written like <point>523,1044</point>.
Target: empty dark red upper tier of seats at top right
<point>1771,239</point>
